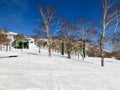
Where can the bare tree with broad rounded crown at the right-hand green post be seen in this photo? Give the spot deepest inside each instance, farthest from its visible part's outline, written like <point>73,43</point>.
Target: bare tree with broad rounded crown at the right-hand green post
<point>84,31</point>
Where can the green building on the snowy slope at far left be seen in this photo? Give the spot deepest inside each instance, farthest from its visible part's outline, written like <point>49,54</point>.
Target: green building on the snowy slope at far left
<point>21,44</point>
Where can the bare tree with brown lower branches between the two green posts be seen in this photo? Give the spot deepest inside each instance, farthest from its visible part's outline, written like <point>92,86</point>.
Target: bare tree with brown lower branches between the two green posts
<point>66,32</point>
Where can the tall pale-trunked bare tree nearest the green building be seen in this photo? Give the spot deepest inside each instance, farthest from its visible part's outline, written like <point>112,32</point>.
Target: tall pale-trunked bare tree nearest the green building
<point>47,13</point>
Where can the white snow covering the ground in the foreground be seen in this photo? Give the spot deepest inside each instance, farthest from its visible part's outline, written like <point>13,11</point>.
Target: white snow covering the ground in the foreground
<point>36,71</point>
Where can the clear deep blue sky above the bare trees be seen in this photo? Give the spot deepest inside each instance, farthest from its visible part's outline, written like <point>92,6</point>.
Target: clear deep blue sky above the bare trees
<point>21,15</point>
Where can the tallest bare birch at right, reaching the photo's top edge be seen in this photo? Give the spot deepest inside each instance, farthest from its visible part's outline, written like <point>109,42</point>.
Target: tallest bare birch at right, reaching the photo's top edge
<point>110,21</point>
